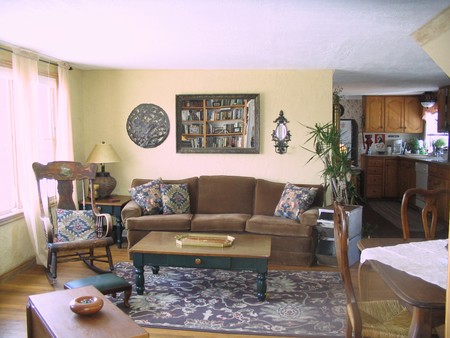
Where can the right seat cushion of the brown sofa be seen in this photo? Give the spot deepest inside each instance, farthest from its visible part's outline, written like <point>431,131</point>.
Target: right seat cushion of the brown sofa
<point>278,226</point>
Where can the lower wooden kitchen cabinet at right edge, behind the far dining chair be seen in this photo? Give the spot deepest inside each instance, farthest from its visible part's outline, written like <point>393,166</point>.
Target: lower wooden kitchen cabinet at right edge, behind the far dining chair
<point>439,177</point>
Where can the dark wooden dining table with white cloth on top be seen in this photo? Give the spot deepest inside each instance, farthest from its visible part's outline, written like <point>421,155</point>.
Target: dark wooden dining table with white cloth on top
<point>416,272</point>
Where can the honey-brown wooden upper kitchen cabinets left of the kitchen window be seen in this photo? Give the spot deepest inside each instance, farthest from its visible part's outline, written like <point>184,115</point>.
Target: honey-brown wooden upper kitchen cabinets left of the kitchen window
<point>393,114</point>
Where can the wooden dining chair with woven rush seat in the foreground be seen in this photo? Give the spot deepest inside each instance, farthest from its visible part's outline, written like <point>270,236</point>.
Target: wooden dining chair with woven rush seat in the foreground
<point>381,318</point>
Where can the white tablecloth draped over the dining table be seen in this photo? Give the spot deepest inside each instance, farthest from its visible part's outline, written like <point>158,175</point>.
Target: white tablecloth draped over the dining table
<point>427,260</point>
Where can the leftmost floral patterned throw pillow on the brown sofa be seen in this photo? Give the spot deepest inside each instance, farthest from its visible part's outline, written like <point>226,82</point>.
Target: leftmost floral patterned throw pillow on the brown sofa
<point>148,197</point>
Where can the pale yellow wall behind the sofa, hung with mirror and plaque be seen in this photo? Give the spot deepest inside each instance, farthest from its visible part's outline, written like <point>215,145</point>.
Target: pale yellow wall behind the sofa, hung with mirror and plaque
<point>108,97</point>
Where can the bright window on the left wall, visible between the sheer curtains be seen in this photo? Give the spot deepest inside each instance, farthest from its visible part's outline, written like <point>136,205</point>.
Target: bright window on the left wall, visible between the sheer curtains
<point>9,202</point>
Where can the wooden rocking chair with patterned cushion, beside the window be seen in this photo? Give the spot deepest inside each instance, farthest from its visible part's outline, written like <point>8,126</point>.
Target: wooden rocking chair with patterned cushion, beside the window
<point>71,234</point>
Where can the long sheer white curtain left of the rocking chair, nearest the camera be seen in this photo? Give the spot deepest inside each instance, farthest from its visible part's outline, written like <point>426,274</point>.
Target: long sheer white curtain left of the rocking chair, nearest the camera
<point>26,88</point>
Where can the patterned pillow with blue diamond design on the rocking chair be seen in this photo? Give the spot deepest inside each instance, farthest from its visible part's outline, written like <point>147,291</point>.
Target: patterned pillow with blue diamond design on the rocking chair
<point>75,225</point>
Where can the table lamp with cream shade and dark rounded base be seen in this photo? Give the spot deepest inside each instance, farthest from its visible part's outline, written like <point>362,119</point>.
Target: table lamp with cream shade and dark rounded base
<point>104,153</point>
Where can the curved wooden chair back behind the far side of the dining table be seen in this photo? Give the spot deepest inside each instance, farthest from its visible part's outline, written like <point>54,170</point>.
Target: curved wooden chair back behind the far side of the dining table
<point>431,198</point>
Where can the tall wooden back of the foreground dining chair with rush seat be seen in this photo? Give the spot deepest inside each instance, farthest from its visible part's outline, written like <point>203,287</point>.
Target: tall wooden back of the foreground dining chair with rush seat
<point>354,320</point>
